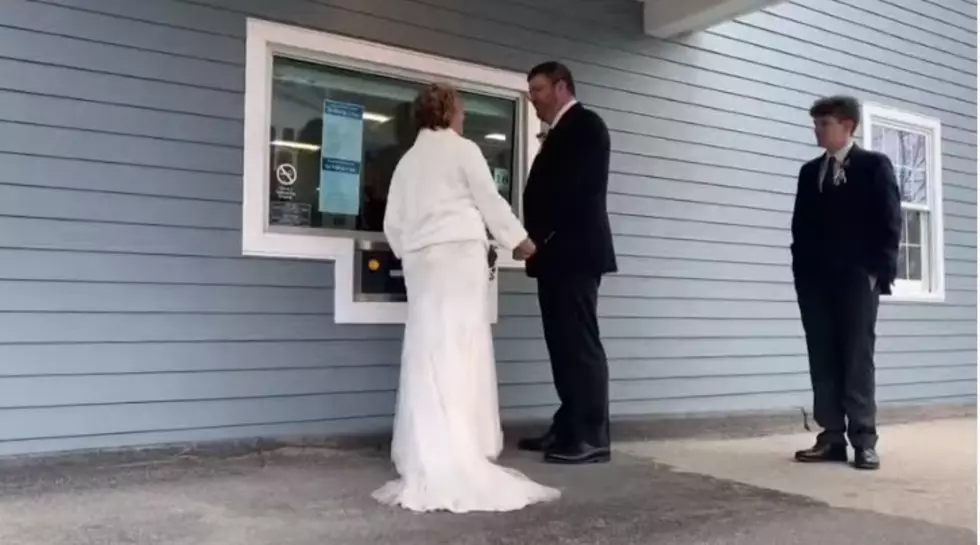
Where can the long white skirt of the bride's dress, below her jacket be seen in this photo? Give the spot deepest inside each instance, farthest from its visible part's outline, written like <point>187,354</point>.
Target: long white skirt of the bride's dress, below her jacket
<point>447,426</point>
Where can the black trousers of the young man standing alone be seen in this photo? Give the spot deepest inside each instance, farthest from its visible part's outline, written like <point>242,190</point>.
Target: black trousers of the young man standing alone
<point>839,308</point>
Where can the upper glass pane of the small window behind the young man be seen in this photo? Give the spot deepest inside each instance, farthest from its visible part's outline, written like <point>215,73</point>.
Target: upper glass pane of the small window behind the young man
<point>907,151</point>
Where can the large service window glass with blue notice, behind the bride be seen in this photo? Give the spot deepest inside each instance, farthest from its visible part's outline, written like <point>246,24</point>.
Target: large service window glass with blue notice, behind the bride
<point>343,183</point>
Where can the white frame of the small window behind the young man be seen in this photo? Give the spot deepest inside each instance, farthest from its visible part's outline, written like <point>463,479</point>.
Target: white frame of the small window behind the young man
<point>933,285</point>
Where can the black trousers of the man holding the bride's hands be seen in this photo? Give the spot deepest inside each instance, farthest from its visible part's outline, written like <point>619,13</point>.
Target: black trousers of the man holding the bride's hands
<point>578,360</point>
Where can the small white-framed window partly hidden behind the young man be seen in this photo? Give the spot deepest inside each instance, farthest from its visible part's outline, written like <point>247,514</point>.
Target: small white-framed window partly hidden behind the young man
<point>913,143</point>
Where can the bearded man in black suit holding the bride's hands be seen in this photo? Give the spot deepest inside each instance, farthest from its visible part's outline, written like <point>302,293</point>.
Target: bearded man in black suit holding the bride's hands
<point>565,215</point>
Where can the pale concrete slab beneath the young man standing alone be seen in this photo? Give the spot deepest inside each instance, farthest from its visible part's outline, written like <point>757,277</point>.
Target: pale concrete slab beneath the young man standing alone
<point>929,469</point>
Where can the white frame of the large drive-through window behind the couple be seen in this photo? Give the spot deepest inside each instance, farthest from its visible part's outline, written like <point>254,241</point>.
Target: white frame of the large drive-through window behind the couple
<point>265,39</point>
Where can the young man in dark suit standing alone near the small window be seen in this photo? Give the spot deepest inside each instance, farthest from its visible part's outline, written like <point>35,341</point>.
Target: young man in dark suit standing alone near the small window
<point>846,226</point>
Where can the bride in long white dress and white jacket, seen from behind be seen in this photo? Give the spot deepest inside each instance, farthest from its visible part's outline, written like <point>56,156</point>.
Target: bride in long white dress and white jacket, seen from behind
<point>447,430</point>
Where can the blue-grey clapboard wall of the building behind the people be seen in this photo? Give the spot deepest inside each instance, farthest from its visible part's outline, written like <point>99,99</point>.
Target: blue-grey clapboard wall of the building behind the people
<point>128,316</point>
